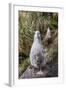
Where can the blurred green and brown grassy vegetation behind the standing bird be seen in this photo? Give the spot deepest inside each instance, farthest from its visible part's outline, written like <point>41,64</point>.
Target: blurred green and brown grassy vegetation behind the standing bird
<point>29,22</point>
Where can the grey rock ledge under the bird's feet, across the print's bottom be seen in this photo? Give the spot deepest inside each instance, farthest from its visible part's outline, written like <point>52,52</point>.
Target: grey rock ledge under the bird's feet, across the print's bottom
<point>50,70</point>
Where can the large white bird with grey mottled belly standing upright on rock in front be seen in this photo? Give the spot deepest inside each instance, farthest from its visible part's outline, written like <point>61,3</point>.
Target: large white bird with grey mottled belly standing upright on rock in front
<point>37,59</point>
